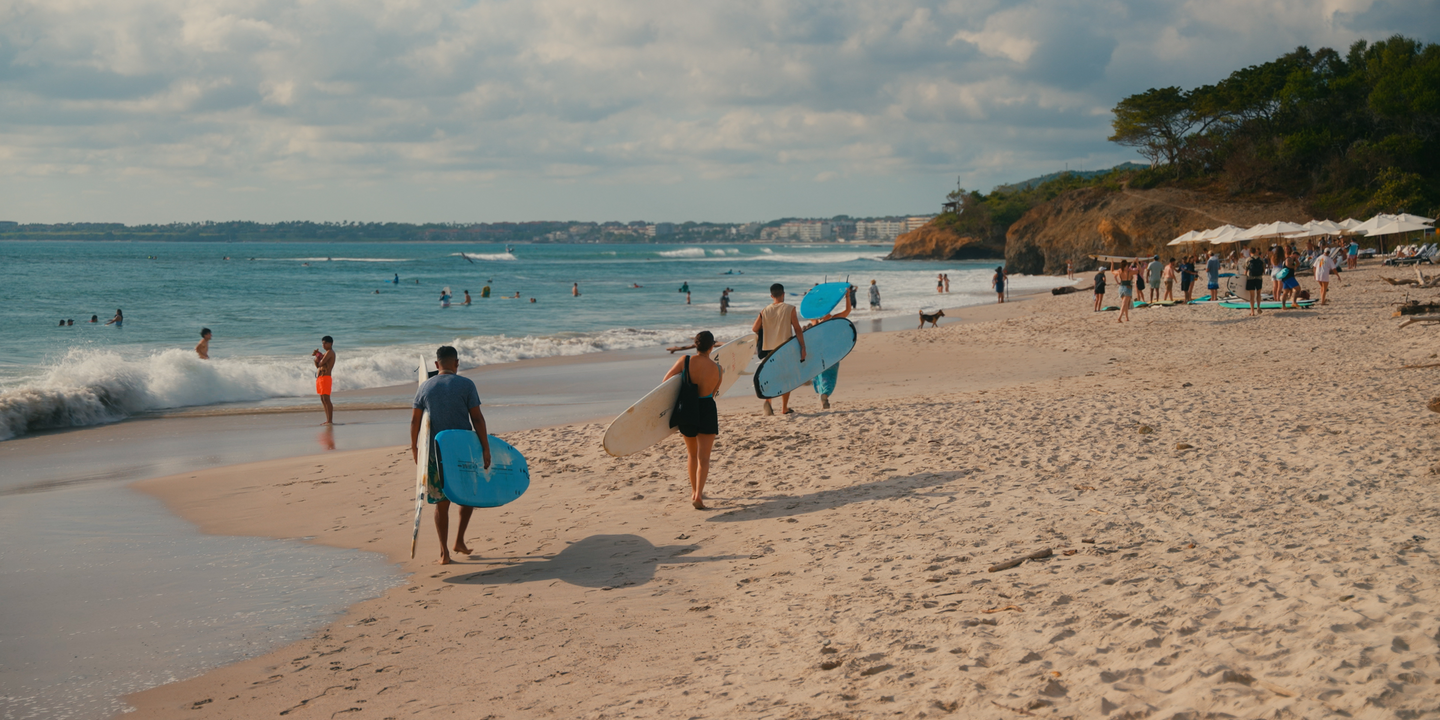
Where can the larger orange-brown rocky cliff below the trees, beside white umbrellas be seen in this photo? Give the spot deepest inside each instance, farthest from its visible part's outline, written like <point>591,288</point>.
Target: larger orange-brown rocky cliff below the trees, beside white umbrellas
<point>1097,221</point>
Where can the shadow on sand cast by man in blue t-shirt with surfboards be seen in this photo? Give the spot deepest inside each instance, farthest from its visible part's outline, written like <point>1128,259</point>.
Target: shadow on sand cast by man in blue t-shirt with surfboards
<point>594,562</point>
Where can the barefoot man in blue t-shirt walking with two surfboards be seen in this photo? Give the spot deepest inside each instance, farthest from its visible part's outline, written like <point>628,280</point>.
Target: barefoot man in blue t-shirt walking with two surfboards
<point>454,405</point>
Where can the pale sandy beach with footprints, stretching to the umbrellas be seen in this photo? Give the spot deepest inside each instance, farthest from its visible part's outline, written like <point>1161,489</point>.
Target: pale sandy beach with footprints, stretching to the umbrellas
<point>1238,513</point>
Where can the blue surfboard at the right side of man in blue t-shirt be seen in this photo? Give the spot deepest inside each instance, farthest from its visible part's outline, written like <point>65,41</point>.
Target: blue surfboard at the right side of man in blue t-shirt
<point>463,469</point>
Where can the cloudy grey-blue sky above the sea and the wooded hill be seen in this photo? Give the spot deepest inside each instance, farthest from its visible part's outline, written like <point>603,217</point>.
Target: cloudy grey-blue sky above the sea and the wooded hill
<point>594,110</point>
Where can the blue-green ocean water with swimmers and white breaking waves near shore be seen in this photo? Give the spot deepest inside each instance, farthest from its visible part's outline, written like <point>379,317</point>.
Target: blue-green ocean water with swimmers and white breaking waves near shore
<point>269,305</point>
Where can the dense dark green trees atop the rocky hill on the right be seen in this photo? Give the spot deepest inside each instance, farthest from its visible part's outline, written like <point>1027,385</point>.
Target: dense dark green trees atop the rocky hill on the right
<point>1354,133</point>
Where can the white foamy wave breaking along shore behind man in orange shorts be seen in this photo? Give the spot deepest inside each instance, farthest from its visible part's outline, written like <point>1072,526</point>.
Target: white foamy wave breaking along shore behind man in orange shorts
<point>91,387</point>
